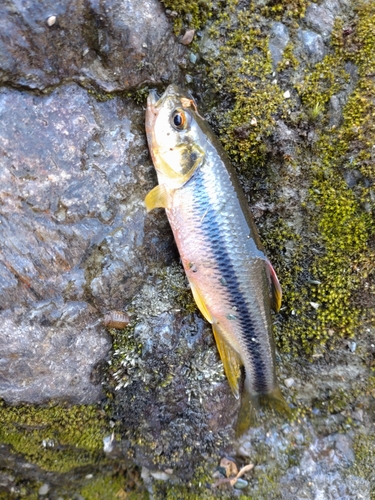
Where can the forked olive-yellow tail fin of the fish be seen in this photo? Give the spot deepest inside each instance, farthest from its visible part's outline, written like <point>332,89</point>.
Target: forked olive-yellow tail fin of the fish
<point>250,403</point>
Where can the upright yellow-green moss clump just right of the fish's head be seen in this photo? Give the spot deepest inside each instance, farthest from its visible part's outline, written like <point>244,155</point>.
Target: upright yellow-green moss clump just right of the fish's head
<point>248,81</point>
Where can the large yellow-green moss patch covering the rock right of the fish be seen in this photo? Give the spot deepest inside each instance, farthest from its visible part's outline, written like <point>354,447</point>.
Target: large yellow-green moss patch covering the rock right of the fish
<point>325,261</point>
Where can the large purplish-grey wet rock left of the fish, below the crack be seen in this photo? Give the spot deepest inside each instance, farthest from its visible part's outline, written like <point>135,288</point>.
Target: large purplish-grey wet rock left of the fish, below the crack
<point>71,249</point>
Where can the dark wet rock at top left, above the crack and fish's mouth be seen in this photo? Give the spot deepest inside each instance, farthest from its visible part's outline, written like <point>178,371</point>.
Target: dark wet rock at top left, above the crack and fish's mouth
<point>113,46</point>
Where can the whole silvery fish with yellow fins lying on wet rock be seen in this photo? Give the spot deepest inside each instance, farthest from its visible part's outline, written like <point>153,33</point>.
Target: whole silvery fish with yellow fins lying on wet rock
<point>233,283</point>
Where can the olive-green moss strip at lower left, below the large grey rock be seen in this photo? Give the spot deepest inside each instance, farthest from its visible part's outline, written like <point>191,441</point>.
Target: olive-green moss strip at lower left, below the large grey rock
<point>57,438</point>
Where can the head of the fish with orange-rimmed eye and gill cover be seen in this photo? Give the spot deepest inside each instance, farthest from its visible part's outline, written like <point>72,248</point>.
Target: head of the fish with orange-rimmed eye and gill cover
<point>175,136</point>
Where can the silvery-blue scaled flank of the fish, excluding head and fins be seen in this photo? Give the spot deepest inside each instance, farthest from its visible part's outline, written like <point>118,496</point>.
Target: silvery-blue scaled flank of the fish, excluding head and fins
<point>225,240</point>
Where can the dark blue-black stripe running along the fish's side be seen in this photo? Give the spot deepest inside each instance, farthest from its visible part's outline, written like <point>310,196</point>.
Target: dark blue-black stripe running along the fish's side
<point>211,227</point>
